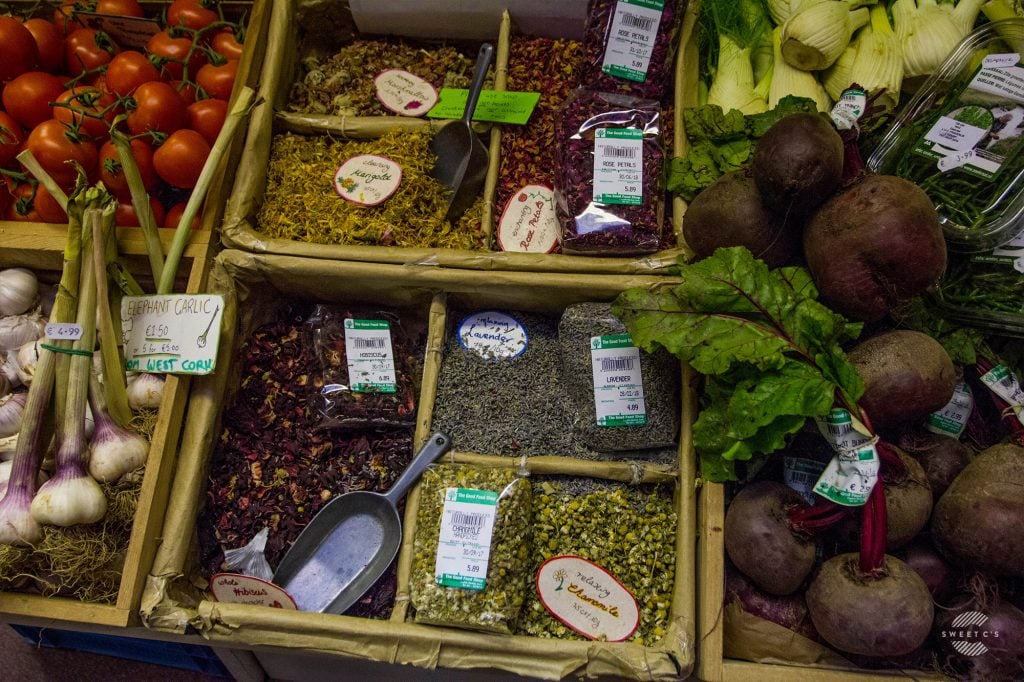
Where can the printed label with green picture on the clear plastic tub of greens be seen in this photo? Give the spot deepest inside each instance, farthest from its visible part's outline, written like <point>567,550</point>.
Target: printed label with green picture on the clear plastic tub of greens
<point>984,126</point>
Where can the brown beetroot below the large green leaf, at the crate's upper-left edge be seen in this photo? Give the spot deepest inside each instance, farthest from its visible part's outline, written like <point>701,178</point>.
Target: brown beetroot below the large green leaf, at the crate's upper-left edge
<point>760,543</point>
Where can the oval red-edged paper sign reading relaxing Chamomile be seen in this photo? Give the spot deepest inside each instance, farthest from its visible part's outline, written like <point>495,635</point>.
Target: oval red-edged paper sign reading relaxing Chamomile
<point>587,599</point>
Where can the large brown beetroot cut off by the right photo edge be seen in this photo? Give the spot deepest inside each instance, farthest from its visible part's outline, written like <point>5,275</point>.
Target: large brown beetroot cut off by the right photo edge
<point>979,522</point>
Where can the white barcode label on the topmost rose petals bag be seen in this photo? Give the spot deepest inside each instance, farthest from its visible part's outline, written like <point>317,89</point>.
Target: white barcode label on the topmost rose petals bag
<point>631,38</point>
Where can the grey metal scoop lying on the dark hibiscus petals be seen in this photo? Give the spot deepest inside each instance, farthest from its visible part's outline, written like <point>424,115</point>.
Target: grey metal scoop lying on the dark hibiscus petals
<point>351,542</point>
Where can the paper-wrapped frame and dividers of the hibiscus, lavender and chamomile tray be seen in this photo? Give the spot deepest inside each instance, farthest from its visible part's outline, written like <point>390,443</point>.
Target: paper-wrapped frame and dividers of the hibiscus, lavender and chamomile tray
<point>176,600</point>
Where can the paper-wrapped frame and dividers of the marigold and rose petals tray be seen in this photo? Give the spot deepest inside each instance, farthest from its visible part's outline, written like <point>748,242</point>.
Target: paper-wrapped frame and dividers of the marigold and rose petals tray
<point>241,229</point>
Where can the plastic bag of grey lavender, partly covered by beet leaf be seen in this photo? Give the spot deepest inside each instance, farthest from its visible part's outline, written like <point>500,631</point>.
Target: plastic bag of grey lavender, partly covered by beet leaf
<point>622,398</point>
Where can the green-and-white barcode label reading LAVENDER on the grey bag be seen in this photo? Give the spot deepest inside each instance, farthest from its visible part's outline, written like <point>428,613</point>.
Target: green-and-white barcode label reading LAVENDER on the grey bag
<point>618,383</point>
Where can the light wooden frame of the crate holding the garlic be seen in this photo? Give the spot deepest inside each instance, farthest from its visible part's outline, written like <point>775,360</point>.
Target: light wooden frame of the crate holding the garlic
<point>41,249</point>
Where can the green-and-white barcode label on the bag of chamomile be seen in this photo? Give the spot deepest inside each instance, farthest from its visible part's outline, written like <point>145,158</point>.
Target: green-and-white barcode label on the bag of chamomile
<point>464,544</point>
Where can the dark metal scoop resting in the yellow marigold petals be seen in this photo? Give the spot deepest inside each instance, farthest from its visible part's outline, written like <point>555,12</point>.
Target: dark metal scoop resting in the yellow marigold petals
<point>462,159</point>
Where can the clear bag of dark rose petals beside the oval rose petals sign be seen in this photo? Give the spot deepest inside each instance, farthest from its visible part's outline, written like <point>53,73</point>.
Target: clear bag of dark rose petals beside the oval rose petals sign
<point>609,193</point>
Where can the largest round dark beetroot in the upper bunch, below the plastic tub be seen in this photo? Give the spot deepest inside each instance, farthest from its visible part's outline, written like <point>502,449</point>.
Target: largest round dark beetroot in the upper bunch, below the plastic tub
<point>875,246</point>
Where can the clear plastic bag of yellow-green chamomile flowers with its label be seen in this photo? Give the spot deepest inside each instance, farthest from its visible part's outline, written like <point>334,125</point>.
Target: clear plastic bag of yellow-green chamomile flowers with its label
<point>450,585</point>
